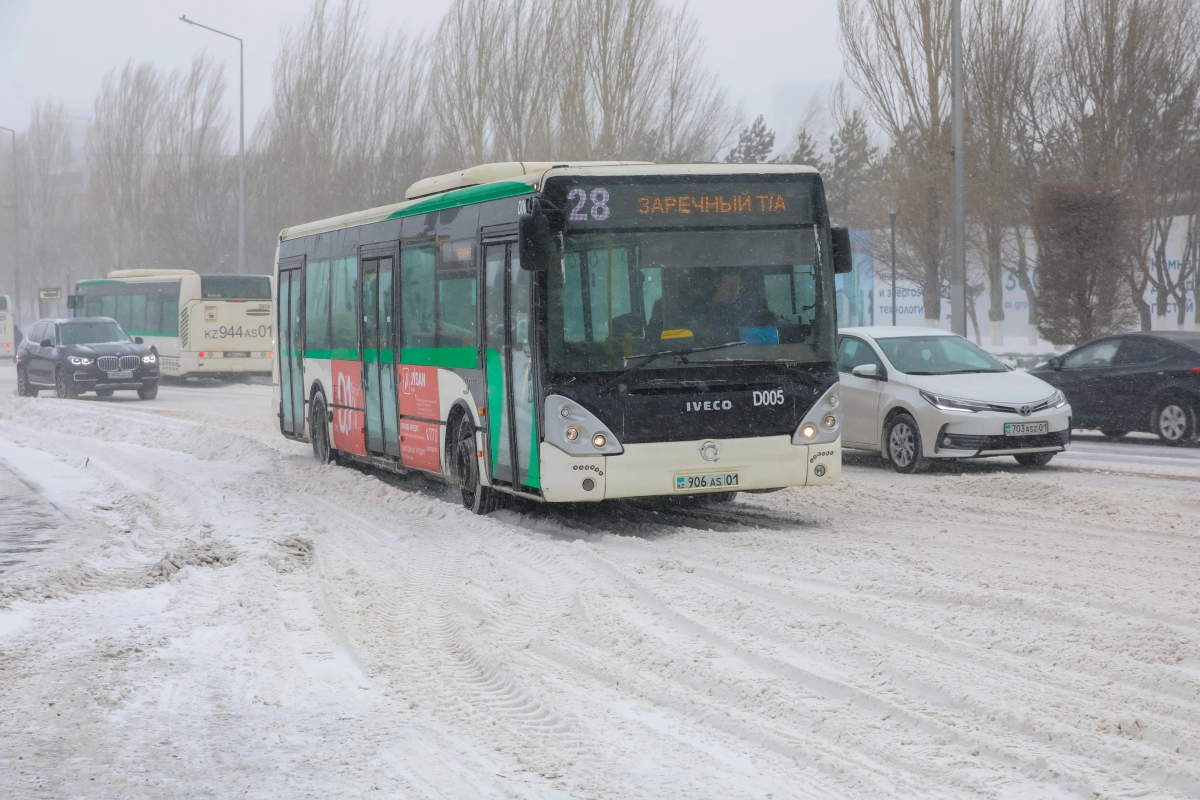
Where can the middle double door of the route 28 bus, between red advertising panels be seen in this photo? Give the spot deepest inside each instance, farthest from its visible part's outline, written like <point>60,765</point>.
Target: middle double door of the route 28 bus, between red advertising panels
<point>379,356</point>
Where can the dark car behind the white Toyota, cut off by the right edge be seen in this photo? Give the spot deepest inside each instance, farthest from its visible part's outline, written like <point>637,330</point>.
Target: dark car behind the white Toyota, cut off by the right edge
<point>1137,382</point>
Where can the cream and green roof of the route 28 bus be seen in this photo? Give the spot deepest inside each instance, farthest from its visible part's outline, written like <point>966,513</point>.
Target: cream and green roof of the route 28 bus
<point>514,179</point>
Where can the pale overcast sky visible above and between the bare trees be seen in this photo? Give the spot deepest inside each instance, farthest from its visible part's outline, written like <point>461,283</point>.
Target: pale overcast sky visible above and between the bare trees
<point>771,55</point>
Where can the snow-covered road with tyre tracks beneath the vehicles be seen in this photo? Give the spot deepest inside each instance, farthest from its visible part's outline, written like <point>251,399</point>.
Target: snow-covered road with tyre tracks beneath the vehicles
<point>190,606</point>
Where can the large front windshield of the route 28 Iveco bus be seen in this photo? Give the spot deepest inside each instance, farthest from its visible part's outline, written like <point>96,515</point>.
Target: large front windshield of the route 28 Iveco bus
<point>626,294</point>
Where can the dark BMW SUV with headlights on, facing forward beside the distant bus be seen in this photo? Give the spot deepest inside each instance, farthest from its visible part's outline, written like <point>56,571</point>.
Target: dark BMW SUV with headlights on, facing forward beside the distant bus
<point>82,356</point>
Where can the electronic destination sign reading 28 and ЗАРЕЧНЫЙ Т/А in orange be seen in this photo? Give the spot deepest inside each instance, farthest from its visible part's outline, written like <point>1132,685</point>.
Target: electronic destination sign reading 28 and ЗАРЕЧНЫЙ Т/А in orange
<point>675,206</point>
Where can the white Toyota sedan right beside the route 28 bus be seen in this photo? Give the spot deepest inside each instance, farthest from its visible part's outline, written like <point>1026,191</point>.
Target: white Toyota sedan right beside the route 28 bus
<point>919,394</point>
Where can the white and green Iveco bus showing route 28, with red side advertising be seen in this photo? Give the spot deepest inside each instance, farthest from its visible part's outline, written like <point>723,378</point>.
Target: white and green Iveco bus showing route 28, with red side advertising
<point>572,333</point>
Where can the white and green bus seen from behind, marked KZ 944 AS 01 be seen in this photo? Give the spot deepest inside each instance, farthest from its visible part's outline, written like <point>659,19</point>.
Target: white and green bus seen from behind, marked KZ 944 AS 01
<point>214,326</point>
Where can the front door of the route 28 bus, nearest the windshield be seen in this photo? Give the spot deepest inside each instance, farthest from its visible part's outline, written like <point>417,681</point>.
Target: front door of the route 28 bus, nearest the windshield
<point>511,365</point>
